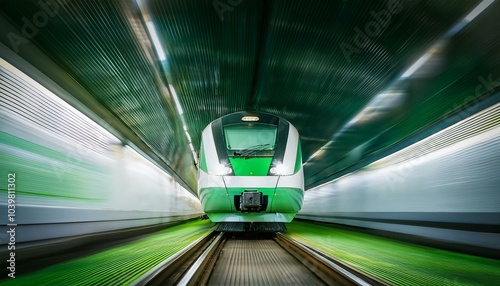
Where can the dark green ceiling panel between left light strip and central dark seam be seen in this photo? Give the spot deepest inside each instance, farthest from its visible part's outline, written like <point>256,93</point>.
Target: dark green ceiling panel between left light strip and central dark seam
<point>211,56</point>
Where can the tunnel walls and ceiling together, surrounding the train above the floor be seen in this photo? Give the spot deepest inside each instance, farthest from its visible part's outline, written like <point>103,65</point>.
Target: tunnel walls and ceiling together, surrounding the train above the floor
<point>396,103</point>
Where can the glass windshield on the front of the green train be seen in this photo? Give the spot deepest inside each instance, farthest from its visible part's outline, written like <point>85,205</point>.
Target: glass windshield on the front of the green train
<point>261,137</point>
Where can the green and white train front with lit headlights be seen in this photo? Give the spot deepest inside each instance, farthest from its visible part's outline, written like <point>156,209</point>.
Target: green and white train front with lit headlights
<point>250,170</point>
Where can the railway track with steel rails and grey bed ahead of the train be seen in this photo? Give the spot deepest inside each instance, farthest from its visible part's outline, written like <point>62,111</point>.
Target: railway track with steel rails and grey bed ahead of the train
<point>244,259</point>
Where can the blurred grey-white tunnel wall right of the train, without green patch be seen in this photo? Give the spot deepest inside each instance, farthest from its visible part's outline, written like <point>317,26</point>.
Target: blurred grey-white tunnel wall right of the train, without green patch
<point>450,195</point>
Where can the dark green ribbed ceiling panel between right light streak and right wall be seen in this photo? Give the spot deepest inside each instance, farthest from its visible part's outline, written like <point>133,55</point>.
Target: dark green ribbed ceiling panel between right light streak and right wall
<point>458,75</point>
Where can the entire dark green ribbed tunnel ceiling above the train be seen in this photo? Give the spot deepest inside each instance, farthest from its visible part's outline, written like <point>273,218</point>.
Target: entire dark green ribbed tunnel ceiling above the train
<point>318,64</point>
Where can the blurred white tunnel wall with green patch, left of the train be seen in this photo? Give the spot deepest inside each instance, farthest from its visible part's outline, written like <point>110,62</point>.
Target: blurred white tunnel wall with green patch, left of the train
<point>72,177</point>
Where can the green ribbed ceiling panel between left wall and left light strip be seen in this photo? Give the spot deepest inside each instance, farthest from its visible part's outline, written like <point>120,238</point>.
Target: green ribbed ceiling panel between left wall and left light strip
<point>95,43</point>
